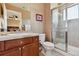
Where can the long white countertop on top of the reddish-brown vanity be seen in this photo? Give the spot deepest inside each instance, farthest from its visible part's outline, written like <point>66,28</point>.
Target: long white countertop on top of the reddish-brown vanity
<point>16,36</point>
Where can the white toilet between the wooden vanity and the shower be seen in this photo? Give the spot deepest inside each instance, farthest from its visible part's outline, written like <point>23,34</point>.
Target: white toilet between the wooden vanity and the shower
<point>48,46</point>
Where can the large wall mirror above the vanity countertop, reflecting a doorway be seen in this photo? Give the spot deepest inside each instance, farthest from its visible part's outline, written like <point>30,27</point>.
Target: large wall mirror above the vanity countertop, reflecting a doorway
<point>18,19</point>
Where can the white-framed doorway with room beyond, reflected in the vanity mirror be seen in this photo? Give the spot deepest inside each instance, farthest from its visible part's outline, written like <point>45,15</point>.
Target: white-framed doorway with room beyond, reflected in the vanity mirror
<point>14,20</point>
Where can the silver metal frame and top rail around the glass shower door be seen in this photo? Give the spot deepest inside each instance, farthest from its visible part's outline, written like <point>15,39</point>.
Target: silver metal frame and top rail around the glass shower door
<point>66,33</point>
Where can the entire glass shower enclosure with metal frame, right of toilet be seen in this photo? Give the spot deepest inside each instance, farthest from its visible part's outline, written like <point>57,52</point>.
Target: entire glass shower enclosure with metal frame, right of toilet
<point>65,28</point>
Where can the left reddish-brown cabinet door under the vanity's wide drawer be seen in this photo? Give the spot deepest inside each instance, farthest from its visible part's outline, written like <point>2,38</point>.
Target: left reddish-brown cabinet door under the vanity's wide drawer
<point>12,52</point>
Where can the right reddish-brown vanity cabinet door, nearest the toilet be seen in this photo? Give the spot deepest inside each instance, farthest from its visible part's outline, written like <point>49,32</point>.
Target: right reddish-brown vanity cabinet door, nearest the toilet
<point>30,50</point>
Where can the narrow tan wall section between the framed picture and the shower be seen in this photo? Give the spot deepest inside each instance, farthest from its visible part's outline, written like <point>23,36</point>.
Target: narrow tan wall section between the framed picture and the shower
<point>47,22</point>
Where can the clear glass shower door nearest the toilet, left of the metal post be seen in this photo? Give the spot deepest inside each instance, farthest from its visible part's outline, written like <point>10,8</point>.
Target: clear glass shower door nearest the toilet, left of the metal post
<point>59,32</point>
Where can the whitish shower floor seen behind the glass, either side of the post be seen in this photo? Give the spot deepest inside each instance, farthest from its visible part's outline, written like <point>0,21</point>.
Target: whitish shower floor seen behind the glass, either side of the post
<point>71,49</point>
